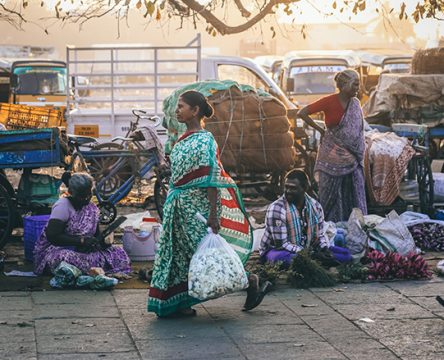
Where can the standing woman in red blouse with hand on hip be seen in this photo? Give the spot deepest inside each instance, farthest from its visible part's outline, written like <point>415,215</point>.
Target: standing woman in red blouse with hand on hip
<point>341,154</point>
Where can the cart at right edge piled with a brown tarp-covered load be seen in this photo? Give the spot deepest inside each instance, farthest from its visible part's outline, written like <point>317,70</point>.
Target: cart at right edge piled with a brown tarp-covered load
<point>412,106</point>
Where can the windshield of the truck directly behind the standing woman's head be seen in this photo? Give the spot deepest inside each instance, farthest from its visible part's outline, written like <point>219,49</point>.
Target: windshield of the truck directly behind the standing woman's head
<point>314,79</point>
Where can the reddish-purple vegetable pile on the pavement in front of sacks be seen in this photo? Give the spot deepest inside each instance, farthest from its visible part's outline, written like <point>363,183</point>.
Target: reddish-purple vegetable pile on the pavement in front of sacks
<point>395,266</point>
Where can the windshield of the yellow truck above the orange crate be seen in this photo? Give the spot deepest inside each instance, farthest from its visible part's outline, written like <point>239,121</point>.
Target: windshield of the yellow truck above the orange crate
<point>41,80</point>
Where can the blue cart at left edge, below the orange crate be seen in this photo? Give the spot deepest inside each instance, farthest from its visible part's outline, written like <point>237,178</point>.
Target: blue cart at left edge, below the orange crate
<point>25,150</point>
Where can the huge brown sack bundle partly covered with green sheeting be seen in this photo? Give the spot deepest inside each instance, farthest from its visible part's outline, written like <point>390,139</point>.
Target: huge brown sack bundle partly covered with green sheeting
<point>250,127</point>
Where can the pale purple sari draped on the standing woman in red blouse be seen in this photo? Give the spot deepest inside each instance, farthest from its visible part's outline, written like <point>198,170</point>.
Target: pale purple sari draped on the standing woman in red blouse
<point>340,166</point>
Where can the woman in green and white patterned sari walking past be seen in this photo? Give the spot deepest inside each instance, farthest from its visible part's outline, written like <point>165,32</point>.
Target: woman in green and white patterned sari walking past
<point>198,184</point>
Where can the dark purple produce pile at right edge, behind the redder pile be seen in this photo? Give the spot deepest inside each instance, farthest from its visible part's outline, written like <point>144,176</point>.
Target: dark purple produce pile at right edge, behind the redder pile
<point>428,236</point>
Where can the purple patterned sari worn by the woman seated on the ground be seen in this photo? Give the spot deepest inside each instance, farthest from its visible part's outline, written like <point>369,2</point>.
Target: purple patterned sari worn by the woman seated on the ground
<point>82,223</point>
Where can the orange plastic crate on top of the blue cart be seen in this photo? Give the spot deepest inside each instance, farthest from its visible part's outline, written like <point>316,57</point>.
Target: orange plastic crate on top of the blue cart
<point>17,117</point>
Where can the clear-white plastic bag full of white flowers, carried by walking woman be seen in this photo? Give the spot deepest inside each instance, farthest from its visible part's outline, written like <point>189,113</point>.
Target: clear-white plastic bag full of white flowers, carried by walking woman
<point>215,269</point>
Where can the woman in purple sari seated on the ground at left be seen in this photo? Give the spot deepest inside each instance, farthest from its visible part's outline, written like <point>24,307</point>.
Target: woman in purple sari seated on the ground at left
<point>72,234</point>
